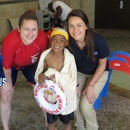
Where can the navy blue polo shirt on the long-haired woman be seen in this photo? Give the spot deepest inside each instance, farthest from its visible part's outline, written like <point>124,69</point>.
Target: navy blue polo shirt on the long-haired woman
<point>84,64</point>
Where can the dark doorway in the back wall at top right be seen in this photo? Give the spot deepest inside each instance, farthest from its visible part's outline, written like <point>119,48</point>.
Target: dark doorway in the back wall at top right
<point>113,14</point>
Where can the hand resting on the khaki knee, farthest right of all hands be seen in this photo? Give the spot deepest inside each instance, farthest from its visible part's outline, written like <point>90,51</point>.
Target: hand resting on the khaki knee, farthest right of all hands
<point>90,94</point>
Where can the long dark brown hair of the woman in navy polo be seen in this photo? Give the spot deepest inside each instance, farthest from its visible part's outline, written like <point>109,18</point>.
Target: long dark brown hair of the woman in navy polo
<point>89,38</point>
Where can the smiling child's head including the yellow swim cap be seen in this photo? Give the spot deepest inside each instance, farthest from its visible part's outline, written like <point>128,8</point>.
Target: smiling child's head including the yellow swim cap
<point>58,38</point>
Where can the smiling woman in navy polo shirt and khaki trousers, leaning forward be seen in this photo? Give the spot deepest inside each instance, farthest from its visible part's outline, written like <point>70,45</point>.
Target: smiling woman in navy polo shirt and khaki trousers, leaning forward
<point>91,52</point>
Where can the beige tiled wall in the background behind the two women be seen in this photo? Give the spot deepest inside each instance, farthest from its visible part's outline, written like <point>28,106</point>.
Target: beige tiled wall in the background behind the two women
<point>15,10</point>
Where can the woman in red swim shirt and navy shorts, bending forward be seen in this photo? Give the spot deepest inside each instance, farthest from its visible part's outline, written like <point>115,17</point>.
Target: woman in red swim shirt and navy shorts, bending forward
<point>21,50</point>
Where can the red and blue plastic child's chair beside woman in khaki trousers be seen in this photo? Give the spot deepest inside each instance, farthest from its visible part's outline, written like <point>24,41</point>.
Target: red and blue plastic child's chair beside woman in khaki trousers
<point>117,61</point>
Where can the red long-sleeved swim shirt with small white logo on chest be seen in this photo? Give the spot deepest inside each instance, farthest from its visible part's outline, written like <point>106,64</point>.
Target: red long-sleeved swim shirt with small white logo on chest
<point>16,54</point>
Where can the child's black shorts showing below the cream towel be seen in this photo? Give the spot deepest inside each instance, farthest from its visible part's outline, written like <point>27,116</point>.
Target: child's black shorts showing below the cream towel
<point>63,118</point>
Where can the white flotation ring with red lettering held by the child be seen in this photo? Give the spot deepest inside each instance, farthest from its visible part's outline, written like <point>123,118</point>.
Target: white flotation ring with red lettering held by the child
<point>61,102</point>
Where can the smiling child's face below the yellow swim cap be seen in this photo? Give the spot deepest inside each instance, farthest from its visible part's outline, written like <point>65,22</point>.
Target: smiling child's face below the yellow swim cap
<point>58,42</point>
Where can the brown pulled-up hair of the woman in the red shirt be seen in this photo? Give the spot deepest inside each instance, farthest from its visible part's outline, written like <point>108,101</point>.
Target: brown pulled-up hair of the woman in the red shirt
<point>28,15</point>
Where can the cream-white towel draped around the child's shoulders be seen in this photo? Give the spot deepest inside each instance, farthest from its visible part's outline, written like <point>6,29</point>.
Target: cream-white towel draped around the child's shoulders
<point>66,78</point>
